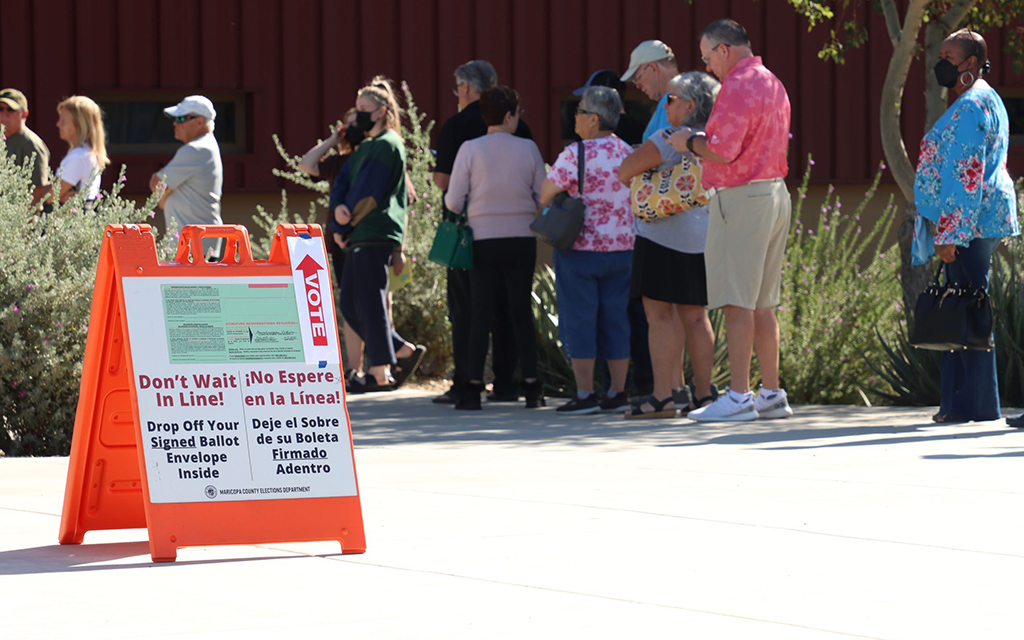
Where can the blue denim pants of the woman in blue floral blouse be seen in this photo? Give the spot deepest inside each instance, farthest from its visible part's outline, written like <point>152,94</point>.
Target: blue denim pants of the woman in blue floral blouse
<point>970,385</point>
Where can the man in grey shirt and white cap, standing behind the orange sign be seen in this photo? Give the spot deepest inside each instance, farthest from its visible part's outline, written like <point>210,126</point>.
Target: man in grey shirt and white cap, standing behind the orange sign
<point>195,177</point>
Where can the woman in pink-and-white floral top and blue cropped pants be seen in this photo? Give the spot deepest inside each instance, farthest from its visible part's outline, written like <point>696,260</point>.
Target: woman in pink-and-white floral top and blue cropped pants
<point>592,280</point>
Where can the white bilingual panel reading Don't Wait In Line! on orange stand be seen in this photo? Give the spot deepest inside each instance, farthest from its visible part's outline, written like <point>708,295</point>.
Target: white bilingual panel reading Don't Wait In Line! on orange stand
<point>229,408</point>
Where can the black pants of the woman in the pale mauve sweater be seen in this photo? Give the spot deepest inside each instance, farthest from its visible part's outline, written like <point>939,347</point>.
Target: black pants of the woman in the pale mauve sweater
<point>507,262</point>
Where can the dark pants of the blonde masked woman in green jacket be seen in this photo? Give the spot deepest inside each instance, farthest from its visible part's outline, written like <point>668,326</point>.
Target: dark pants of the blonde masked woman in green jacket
<point>364,302</point>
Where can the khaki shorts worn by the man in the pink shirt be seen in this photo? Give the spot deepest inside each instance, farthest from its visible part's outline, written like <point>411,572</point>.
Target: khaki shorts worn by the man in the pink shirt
<point>748,228</point>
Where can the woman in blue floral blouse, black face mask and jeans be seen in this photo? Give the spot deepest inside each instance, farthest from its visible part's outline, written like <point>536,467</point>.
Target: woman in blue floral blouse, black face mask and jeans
<point>964,189</point>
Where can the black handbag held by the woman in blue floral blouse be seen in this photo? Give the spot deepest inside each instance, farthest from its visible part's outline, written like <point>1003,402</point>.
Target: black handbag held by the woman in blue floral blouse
<point>953,317</point>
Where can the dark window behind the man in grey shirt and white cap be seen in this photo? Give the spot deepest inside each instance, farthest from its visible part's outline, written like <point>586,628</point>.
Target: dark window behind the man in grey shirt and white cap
<point>137,124</point>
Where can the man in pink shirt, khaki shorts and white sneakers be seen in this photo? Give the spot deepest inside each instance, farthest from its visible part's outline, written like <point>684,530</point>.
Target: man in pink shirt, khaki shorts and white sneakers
<point>744,148</point>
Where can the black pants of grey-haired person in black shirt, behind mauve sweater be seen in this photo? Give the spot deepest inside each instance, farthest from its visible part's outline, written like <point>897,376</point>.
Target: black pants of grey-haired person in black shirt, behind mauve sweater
<point>460,313</point>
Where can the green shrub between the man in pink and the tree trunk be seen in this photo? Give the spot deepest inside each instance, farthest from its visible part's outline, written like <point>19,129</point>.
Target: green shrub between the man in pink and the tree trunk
<point>831,306</point>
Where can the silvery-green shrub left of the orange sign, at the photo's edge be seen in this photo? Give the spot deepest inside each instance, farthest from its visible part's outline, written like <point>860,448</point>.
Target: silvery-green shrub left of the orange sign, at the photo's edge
<point>48,272</point>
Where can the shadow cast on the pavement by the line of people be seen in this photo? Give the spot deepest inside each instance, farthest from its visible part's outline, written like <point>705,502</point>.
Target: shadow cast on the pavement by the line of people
<point>381,420</point>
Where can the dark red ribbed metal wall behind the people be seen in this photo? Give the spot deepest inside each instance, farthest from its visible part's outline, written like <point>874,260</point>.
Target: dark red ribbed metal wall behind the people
<point>303,62</point>
